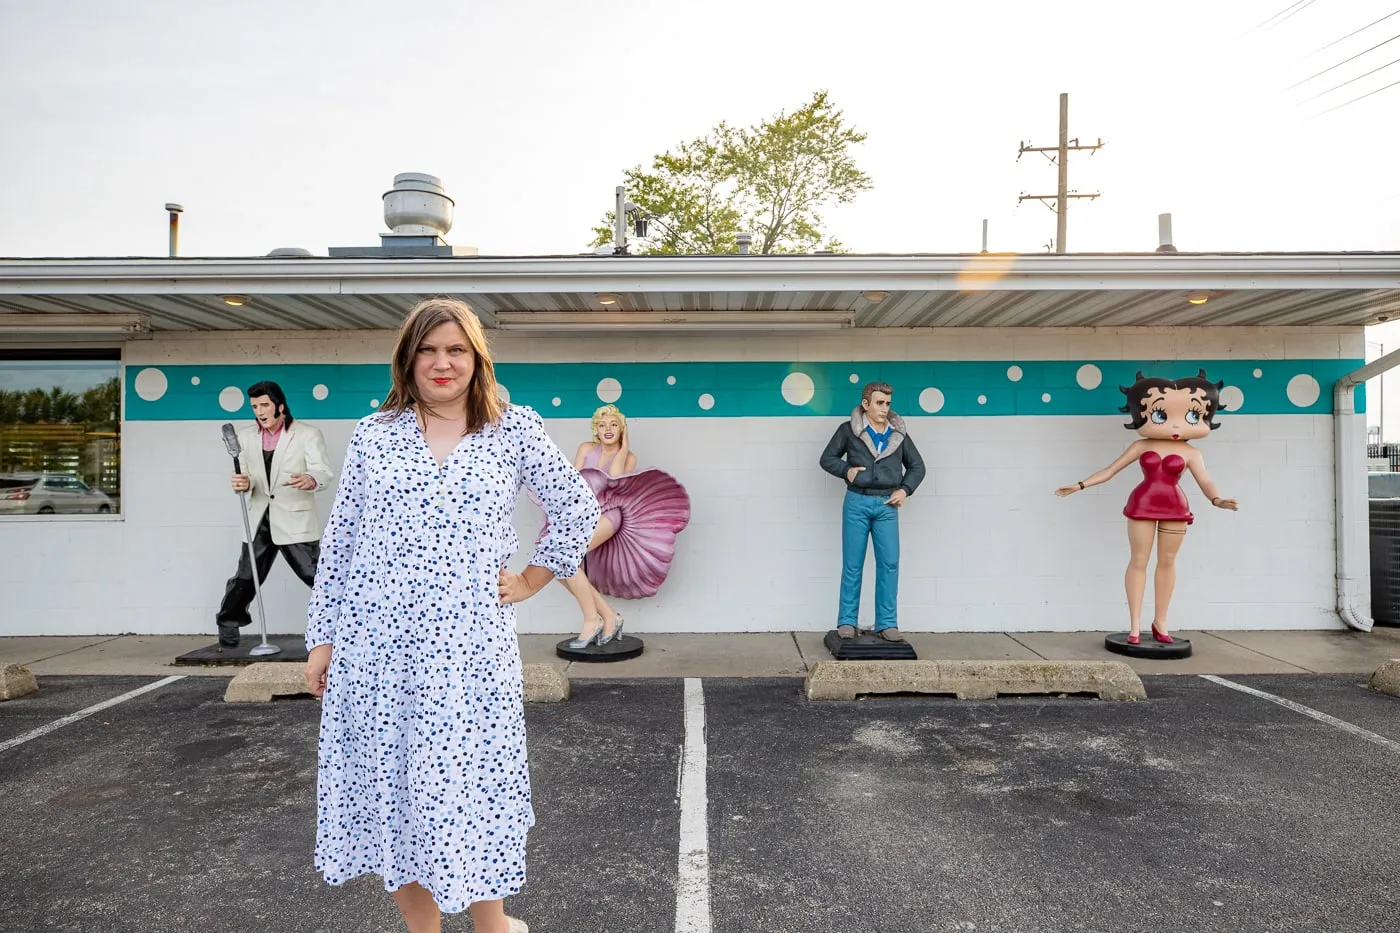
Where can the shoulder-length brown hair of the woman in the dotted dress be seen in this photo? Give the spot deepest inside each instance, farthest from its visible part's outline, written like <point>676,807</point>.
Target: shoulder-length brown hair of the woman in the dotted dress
<point>484,403</point>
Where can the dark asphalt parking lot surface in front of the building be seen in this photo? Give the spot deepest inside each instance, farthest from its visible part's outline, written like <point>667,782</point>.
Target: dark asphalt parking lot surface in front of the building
<point>1202,809</point>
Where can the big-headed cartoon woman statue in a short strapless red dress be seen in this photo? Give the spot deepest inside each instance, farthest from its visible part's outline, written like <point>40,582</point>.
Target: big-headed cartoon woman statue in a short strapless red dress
<point>1168,415</point>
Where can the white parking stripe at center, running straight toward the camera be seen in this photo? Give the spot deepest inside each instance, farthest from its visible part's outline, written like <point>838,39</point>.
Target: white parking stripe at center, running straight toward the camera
<point>694,882</point>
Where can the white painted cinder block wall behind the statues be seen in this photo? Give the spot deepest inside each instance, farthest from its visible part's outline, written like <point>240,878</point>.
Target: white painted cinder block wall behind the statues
<point>986,546</point>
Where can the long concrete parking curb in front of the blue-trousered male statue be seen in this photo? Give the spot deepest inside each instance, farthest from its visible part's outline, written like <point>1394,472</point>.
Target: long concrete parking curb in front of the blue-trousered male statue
<point>974,680</point>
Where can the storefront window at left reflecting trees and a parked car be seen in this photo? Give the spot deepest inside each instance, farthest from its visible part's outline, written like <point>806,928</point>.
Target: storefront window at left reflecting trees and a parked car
<point>61,421</point>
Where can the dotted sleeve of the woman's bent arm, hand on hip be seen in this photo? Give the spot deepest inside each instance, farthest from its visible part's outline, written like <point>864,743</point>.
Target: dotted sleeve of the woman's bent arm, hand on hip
<point>570,509</point>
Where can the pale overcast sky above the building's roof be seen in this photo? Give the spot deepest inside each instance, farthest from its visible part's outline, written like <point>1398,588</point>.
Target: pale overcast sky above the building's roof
<point>282,124</point>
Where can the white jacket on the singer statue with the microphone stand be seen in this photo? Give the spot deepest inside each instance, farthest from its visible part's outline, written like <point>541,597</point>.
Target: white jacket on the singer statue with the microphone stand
<point>300,450</point>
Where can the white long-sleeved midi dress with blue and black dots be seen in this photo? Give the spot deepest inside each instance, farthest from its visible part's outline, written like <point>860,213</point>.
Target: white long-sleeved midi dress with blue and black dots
<point>422,759</point>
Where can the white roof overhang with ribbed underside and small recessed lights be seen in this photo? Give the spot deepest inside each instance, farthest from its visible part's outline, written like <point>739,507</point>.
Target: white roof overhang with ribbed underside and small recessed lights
<point>722,293</point>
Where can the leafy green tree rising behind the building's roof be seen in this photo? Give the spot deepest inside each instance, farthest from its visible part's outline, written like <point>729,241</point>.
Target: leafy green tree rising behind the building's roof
<point>771,180</point>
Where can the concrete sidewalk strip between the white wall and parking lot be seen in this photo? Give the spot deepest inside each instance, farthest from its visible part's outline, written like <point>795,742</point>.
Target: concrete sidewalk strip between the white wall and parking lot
<point>780,654</point>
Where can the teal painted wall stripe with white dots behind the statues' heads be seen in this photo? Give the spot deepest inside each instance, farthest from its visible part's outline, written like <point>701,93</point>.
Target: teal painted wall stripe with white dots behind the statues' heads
<point>748,390</point>
